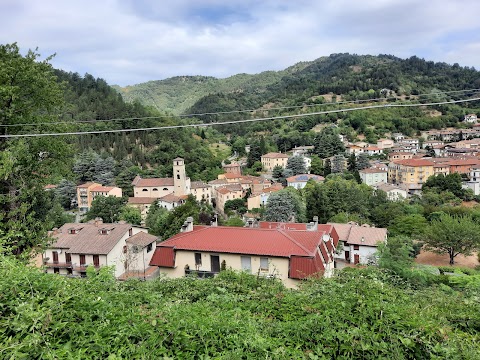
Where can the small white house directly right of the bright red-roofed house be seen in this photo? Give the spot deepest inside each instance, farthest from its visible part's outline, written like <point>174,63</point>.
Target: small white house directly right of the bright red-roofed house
<point>358,244</point>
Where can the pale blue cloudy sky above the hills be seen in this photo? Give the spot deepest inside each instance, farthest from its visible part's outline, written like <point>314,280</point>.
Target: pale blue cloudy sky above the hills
<point>127,42</point>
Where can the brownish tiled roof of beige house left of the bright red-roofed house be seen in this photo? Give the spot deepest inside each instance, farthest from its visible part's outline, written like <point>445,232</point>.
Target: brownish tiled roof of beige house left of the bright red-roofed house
<point>88,239</point>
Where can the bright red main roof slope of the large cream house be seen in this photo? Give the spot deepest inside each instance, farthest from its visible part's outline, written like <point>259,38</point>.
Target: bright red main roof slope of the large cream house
<point>252,241</point>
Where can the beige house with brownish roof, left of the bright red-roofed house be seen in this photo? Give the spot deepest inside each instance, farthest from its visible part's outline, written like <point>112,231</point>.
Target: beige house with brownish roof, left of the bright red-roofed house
<point>78,246</point>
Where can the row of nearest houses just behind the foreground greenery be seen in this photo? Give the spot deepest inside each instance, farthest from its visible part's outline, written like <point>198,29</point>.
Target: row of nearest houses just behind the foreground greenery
<point>290,252</point>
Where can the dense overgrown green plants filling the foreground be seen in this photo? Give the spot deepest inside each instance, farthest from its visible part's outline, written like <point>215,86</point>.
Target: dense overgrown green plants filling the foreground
<point>361,313</point>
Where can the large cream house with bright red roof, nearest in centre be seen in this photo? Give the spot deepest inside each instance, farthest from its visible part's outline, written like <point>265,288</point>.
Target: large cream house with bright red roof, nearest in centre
<point>290,255</point>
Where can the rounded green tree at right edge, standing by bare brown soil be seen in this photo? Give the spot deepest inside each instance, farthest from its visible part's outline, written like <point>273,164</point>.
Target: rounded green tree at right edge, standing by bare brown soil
<point>453,235</point>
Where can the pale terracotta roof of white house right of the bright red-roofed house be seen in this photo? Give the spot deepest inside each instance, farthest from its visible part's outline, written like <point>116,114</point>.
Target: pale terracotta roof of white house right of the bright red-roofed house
<point>360,235</point>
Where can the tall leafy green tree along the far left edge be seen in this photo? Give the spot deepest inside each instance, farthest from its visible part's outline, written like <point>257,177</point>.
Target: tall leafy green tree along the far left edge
<point>29,93</point>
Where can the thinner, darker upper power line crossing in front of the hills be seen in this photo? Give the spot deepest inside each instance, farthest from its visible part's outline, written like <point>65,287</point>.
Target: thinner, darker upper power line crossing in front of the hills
<point>473,91</point>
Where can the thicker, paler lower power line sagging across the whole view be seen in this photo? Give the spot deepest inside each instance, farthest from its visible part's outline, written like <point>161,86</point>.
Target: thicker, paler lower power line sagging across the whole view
<point>236,121</point>
